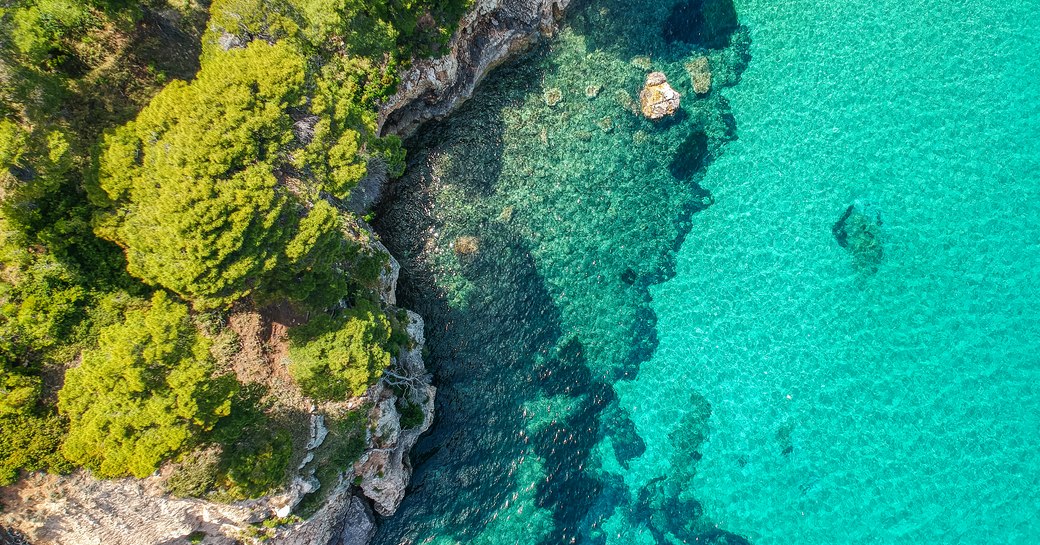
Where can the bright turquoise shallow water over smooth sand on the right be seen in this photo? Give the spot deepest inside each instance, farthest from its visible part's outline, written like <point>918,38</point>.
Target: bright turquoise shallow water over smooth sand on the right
<point>911,398</point>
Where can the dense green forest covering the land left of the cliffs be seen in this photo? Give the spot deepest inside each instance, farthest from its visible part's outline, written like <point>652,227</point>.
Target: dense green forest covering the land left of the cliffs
<point>163,167</point>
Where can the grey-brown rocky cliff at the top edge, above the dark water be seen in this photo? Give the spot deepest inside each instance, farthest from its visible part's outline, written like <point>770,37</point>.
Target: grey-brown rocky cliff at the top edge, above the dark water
<point>491,33</point>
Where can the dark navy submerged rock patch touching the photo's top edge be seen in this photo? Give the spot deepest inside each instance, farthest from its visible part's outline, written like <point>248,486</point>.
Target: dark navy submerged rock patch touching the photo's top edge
<point>705,23</point>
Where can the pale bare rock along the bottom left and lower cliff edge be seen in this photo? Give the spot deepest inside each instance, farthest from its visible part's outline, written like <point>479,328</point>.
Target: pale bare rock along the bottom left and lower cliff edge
<point>83,510</point>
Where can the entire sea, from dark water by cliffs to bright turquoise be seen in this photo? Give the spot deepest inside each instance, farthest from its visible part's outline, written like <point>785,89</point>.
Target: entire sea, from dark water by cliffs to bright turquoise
<point>660,339</point>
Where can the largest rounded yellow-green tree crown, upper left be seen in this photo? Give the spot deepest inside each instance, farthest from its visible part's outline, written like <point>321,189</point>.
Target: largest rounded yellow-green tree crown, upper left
<point>196,201</point>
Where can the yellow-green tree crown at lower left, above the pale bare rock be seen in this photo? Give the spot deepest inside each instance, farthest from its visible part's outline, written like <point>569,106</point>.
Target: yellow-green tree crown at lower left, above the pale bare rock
<point>144,395</point>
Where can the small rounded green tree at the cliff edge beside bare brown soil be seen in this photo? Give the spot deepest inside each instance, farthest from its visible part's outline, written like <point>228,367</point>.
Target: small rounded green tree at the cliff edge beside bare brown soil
<point>336,358</point>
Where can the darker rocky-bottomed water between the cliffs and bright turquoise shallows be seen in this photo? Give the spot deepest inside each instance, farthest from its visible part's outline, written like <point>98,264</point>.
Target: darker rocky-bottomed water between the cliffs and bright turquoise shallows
<point>530,225</point>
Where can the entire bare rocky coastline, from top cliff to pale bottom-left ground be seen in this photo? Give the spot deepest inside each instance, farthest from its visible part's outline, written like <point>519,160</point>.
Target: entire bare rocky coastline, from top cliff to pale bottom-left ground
<point>81,510</point>
